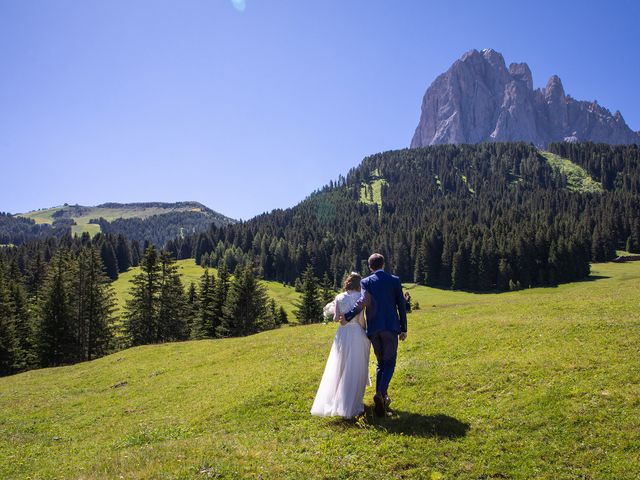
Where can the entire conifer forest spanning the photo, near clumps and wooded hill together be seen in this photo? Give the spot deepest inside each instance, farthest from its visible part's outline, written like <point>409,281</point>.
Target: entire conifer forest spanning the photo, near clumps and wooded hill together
<point>489,217</point>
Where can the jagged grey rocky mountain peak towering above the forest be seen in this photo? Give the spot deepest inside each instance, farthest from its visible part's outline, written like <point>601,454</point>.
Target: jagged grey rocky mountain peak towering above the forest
<point>479,99</point>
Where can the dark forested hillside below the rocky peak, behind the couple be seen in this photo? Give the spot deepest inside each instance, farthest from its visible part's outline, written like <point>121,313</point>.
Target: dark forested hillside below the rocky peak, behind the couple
<point>482,217</point>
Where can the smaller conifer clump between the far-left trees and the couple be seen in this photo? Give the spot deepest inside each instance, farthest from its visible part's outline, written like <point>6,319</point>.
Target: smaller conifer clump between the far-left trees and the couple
<point>220,306</point>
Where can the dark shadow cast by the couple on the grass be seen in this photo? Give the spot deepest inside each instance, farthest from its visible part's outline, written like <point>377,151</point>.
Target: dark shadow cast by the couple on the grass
<point>408,423</point>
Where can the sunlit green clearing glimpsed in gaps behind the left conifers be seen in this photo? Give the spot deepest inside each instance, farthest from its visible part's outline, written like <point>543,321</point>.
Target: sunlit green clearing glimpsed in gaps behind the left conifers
<point>191,272</point>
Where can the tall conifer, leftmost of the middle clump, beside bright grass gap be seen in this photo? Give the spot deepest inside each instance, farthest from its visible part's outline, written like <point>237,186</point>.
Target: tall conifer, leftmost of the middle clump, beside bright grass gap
<point>141,311</point>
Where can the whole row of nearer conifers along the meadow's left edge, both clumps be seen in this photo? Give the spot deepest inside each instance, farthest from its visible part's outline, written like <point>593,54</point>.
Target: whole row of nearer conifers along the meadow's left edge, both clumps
<point>57,304</point>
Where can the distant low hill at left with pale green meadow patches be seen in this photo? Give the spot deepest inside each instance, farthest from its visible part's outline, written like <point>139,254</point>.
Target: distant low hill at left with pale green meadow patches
<point>154,221</point>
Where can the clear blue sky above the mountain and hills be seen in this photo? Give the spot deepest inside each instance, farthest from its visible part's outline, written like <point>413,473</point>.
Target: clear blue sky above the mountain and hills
<point>250,105</point>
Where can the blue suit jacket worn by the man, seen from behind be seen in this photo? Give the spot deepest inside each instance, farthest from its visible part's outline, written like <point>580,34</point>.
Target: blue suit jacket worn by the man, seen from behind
<point>385,304</point>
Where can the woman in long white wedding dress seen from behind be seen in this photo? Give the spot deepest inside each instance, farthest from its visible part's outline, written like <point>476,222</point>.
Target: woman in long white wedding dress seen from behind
<point>346,375</point>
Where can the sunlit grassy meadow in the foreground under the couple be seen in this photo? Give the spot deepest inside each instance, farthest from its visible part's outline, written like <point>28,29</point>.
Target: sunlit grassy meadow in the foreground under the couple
<point>541,383</point>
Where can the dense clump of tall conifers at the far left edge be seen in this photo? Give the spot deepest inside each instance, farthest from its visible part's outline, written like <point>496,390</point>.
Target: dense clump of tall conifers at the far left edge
<point>61,315</point>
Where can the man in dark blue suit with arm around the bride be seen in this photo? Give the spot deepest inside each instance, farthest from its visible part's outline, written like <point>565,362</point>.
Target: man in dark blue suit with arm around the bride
<point>386,322</point>
